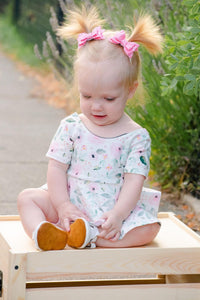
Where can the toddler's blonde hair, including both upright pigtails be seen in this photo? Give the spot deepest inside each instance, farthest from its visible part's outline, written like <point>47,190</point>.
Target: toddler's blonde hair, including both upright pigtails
<point>145,32</point>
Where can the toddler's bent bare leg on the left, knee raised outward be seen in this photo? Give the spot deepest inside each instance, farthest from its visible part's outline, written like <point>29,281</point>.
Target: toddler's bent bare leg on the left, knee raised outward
<point>34,206</point>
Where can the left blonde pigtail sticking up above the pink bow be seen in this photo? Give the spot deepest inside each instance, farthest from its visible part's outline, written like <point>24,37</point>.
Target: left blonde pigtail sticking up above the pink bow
<point>78,21</point>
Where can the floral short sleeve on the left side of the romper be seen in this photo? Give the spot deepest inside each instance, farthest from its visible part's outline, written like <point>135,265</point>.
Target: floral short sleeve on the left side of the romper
<point>61,146</point>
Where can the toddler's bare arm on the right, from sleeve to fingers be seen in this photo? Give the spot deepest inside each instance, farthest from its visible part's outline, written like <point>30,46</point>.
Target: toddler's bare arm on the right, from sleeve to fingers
<point>128,198</point>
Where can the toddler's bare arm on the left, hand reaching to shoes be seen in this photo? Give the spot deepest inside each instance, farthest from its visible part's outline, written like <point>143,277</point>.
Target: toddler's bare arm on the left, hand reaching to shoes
<point>57,188</point>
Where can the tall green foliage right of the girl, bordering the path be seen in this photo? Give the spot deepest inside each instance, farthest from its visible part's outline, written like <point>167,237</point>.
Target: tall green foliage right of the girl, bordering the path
<point>172,112</point>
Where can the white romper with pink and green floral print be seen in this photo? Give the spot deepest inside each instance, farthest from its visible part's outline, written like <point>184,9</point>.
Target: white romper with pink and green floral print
<point>97,166</point>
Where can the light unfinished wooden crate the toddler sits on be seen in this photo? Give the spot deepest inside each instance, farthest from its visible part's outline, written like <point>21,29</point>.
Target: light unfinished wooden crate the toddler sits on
<point>168,268</point>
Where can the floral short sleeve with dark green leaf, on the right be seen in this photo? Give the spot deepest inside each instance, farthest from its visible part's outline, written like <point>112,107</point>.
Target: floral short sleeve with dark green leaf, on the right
<point>139,154</point>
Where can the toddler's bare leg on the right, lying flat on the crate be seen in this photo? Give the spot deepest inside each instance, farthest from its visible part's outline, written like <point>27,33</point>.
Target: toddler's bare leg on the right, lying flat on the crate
<point>138,236</point>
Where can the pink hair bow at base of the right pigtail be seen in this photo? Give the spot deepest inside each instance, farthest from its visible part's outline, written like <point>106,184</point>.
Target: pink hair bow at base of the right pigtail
<point>120,38</point>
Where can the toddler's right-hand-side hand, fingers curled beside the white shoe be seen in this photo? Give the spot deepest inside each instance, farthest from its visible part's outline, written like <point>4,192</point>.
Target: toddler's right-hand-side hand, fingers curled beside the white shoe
<point>111,228</point>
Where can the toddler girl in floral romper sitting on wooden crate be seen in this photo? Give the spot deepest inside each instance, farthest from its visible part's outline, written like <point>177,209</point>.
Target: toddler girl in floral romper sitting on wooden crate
<point>98,159</point>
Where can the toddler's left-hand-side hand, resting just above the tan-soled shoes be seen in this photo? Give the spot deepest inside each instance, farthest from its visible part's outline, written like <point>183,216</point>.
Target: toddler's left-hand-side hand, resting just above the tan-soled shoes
<point>68,213</point>
